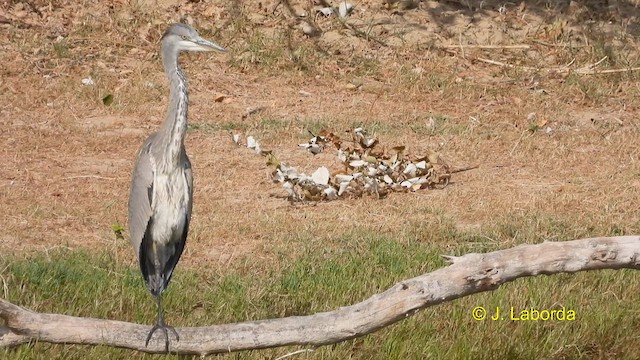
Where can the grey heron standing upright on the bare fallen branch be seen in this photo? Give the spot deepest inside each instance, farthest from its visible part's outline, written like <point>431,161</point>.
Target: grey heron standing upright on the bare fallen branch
<point>161,194</point>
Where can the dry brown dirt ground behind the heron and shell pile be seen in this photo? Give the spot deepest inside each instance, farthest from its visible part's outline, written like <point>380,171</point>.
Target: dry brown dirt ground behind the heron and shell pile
<point>549,135</point>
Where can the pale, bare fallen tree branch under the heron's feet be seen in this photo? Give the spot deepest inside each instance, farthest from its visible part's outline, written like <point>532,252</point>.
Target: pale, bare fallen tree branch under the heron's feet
<point>468,274</point>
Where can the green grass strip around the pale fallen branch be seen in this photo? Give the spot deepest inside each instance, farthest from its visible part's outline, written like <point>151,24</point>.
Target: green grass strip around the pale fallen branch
<point>323,274</point>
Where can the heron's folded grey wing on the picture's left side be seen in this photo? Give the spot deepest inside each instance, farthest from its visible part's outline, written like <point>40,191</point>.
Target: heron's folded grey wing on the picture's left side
<point>140,195</point>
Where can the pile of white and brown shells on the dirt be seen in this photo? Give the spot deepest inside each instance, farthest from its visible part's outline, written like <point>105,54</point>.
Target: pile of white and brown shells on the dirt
<point>365,171</point>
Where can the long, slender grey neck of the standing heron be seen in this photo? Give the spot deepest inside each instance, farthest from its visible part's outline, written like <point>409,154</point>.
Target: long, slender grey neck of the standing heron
<point>175,124</point>
